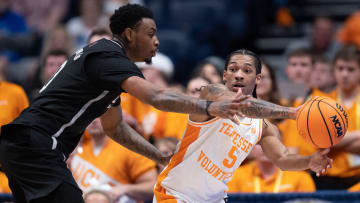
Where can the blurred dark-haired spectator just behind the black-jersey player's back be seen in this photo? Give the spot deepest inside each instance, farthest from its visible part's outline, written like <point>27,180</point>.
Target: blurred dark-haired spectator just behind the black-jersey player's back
<point>51,63</point>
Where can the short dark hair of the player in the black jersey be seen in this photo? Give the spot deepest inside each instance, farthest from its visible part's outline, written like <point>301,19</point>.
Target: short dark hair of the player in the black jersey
<point>128,16</point>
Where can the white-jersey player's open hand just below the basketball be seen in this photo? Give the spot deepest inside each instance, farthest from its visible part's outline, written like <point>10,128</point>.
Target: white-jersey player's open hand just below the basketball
<point>320,162</point>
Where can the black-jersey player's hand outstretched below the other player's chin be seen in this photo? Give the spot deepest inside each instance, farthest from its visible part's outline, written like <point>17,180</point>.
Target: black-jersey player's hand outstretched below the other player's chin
<point>229,108</point>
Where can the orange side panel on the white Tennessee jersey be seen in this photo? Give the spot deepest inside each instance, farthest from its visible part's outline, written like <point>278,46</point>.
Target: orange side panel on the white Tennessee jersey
<point>191,134</point>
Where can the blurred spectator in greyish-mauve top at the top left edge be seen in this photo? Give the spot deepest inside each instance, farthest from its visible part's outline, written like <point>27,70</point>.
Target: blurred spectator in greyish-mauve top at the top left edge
<point>43,15</point>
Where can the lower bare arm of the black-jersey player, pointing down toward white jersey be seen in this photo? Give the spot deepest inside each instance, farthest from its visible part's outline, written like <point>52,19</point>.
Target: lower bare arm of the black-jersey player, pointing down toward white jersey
<point>122,133</point>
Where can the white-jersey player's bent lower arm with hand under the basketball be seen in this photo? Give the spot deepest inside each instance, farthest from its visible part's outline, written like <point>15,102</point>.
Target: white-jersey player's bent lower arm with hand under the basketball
<point>277,153</point>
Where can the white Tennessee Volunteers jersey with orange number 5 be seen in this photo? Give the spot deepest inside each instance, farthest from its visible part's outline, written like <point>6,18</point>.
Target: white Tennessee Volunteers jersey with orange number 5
<point>206,158</point>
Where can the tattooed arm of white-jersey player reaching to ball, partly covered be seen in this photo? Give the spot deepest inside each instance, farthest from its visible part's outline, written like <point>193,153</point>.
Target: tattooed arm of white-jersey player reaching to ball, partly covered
<point>256,109</point>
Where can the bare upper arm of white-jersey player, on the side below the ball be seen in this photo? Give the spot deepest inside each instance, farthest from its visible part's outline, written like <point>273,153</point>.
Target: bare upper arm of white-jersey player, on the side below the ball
<point>271,143</point>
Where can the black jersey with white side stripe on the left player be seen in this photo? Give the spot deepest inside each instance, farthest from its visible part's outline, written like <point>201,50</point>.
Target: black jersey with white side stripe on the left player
<point>80,91</point>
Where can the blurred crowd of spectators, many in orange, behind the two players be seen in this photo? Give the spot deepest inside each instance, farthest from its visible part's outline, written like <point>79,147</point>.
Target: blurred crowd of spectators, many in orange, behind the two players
<point>35,39</point>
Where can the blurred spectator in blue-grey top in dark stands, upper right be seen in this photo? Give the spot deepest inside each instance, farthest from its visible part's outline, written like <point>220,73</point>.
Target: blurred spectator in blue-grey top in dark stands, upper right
<point>321,41</point>
